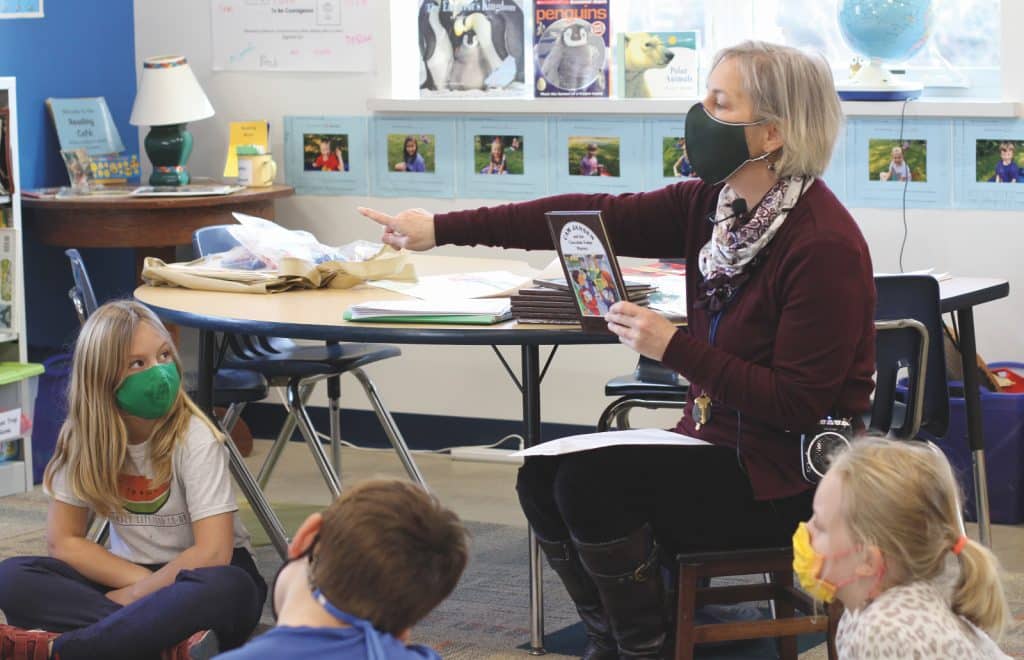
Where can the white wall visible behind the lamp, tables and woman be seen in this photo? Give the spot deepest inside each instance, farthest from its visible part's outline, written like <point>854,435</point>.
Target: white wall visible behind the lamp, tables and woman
<point>470,381</point>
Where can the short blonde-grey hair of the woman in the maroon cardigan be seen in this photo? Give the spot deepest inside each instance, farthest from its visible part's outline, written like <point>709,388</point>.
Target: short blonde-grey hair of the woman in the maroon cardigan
<point>796,93</point>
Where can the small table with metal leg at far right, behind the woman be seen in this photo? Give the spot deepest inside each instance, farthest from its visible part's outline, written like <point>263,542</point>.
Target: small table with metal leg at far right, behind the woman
<point>960,296</point>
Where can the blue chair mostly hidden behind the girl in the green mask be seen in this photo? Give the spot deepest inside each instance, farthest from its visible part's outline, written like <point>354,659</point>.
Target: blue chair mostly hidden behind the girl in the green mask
<point>233,388</point>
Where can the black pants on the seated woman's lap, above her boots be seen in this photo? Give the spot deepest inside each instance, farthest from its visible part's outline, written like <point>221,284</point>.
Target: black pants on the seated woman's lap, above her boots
<point>697,499</point>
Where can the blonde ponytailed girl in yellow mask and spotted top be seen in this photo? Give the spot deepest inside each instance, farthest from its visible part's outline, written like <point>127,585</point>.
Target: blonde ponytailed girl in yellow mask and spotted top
<point>886,541</point>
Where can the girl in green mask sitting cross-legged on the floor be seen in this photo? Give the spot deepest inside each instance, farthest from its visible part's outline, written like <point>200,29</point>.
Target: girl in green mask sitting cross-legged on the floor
<point>136,450</point>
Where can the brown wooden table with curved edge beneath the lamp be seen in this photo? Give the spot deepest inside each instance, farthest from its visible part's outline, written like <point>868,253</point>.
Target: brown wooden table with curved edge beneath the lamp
<point>155,225</point>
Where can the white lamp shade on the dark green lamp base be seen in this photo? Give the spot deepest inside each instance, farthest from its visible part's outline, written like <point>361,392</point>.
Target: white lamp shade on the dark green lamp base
<point>168,94</point>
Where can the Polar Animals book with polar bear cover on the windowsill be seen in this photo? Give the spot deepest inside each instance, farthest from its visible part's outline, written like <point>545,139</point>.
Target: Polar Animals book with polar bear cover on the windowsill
<point>657,65</point>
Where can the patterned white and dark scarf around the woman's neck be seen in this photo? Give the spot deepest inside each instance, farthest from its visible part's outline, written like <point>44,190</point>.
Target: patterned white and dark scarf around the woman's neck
<point>729,258</point>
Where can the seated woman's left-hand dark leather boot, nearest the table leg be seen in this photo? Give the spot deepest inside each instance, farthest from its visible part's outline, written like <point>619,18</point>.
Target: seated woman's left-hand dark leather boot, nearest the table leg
<point>564,560</point>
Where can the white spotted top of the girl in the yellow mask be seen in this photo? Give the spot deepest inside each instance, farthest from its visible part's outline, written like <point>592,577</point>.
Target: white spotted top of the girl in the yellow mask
<point>912,622</point>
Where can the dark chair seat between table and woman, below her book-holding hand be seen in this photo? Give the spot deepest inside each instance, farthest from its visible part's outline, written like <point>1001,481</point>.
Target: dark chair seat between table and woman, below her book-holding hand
<point>651,386</point>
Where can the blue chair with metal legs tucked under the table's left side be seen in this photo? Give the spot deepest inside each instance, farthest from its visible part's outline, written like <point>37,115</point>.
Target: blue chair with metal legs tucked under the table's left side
<point>298,369</point>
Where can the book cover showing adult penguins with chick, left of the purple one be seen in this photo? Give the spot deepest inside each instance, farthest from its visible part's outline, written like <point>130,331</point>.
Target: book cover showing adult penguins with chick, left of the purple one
<point>473,49</point>
